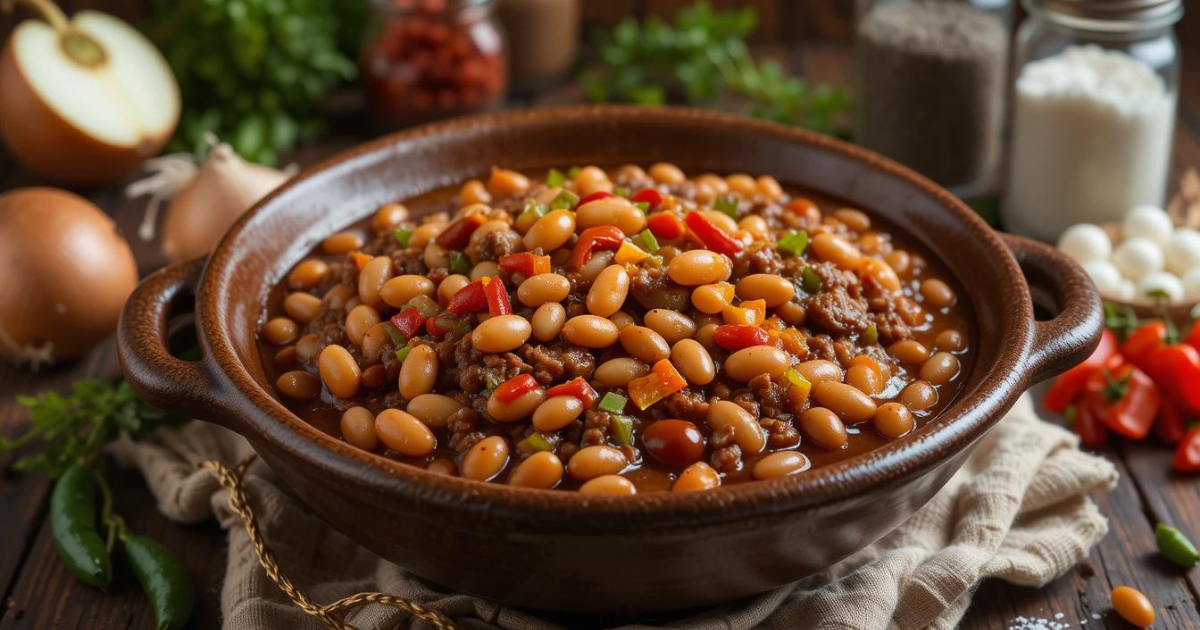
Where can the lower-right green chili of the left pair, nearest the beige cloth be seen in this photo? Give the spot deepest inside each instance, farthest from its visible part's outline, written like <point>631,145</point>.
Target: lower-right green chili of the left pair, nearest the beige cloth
<point>164,580</point>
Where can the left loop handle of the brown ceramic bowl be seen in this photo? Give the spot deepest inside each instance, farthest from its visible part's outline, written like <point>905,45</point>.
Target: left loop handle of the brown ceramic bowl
<point>157,376</point>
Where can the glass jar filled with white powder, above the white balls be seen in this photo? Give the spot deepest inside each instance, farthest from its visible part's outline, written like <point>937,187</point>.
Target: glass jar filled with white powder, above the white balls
<point>1095,100</point>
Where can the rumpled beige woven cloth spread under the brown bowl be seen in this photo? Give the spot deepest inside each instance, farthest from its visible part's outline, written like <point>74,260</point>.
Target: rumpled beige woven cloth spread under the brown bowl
<point>1018,511</point>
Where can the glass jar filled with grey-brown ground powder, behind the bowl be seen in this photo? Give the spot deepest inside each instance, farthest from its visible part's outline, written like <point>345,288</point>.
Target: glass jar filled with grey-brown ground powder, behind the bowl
<point>932,85</point>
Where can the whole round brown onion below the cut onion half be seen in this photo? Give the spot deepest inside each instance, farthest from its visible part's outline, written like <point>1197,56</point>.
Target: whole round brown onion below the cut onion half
<point>65,274</point>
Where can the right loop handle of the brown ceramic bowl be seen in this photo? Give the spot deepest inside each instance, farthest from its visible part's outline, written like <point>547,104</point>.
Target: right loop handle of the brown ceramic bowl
<point>1060,286</point>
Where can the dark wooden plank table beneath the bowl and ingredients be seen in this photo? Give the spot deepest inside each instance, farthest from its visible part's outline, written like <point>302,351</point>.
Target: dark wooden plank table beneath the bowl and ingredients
<point>40,593</point>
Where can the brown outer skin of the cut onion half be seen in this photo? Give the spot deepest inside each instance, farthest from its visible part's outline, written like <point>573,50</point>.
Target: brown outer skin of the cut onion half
<point>51,147</point>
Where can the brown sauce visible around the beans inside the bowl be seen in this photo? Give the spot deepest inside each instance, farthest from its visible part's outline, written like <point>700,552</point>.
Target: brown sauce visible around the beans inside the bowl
<point>326,411</point>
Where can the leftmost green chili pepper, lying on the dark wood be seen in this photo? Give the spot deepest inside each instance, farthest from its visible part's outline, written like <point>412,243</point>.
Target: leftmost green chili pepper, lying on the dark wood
<point>74,523</point>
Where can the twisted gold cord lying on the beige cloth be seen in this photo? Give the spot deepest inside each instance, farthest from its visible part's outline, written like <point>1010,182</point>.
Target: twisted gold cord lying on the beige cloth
<point>239,502</point>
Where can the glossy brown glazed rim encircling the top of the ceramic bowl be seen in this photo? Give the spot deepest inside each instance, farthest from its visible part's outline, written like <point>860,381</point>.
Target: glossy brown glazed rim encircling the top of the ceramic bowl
<point>959,425</point>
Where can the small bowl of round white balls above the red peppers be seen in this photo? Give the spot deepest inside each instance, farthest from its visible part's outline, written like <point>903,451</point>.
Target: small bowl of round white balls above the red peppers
<point>1151,259</point>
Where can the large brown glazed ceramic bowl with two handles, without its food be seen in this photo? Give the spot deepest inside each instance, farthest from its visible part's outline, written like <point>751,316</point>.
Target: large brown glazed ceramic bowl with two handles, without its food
<point>562,550</point>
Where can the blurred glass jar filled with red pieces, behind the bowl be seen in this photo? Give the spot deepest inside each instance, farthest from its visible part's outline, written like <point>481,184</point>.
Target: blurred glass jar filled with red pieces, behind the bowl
<point>430,59</point>
